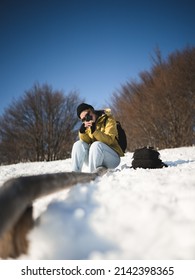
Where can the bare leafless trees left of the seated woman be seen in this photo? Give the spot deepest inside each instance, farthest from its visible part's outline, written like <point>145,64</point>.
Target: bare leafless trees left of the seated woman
<point>40,126</point>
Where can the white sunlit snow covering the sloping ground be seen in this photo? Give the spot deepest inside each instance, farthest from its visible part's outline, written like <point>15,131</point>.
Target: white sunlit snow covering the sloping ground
<point>126,214</point>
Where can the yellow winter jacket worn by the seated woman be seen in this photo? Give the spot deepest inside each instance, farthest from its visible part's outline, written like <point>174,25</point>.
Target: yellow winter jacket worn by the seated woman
<point>105,132</point>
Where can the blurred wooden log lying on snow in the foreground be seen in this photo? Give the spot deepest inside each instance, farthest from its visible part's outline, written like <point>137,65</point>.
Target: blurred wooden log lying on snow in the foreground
<point>16,198</point>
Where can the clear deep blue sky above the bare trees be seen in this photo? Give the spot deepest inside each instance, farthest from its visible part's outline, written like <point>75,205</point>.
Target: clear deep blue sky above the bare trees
<point>90,46</point>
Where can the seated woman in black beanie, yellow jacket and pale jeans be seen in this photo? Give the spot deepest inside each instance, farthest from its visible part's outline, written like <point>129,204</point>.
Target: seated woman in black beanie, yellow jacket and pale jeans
<point>97,145</point>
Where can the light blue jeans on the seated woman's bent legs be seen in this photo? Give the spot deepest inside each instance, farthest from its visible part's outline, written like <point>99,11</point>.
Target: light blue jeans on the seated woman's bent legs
<point>95,155</point>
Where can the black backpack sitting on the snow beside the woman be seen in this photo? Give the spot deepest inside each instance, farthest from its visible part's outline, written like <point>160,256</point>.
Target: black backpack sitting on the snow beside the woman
<point>147,157</point>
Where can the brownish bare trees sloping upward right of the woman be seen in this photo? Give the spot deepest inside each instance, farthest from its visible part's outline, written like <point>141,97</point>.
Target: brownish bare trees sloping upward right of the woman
<point>159,109</point>
